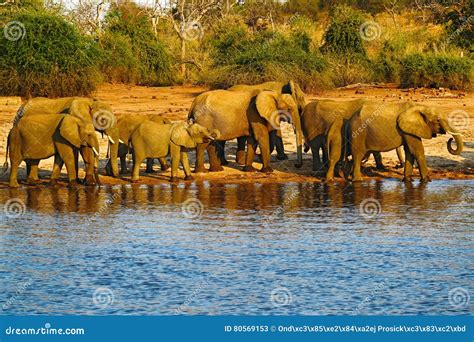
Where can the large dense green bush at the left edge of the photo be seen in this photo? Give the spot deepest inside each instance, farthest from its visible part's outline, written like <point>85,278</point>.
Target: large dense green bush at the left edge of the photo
<point>45,55</point>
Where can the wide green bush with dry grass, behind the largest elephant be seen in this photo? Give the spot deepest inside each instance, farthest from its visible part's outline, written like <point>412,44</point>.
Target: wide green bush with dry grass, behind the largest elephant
<point>249,58</point>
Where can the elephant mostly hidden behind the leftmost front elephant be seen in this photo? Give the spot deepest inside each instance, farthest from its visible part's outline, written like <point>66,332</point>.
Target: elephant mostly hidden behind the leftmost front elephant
<point>93,111</point>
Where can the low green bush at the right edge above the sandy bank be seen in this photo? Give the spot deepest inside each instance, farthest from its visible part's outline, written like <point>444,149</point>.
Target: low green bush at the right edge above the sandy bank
<point>418,70</point>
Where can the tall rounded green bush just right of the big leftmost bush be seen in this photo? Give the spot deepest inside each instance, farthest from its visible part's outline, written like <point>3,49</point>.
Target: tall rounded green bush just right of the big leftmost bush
<point>135,41</point>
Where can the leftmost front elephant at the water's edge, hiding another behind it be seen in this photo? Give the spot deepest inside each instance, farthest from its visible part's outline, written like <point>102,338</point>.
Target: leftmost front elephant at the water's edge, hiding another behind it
<point>42,136</point>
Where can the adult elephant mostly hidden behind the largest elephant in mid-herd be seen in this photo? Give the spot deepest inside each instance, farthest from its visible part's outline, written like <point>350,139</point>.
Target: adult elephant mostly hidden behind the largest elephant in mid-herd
<point>276,140</point>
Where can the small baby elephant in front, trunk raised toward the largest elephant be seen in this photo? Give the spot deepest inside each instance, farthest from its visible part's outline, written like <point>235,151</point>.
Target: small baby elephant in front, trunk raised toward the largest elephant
<point>154,140</point>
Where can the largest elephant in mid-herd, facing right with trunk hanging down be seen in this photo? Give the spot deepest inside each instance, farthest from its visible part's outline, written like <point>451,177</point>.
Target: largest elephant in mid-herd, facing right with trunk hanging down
<point>244,114</point>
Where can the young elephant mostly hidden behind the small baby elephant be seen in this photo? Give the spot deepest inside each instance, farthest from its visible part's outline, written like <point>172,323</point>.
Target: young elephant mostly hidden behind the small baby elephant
<point>127,124</point>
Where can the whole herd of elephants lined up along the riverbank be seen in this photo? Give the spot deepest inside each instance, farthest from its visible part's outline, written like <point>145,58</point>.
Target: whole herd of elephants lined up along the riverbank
<point>333,130</point>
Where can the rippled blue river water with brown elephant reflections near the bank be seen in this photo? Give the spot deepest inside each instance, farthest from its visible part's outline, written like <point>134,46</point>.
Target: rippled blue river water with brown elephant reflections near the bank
<point>377,248</point>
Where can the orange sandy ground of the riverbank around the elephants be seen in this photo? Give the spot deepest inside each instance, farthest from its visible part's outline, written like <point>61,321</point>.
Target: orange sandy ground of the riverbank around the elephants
<point>174,102</point>
